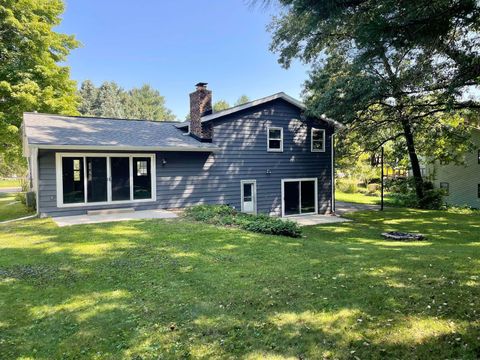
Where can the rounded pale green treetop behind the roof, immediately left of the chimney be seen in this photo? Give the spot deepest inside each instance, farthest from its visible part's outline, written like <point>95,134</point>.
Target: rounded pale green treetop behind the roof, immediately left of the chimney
<point>147,103</point>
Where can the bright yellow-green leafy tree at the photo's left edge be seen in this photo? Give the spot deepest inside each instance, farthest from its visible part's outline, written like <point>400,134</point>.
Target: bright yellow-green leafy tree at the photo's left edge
<point>30,77</point>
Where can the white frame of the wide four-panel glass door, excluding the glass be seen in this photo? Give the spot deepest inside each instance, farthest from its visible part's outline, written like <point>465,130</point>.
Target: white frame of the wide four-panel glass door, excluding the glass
<point>131,156</point>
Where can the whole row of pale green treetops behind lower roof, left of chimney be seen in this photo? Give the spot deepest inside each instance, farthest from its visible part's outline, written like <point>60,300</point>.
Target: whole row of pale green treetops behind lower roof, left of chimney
<point>110,100</point>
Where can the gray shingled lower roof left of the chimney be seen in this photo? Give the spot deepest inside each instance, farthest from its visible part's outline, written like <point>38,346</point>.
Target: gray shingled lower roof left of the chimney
<point>57,131</point>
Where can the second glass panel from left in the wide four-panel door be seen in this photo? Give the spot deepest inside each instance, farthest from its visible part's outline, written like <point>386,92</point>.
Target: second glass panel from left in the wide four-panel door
<point>96,179</point>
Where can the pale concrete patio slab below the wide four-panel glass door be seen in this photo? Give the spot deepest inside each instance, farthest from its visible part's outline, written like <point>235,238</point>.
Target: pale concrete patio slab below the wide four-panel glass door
<point>101,218</point>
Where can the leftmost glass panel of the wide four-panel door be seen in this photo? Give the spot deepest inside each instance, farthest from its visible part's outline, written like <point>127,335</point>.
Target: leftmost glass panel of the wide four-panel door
<point>73,182</point>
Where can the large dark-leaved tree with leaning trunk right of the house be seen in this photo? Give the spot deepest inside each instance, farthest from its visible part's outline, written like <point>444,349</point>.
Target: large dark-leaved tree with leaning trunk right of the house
<point>391,70</point>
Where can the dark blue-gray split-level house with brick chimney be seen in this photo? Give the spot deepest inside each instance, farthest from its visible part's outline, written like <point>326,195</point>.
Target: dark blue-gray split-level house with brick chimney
<point>265,156</point>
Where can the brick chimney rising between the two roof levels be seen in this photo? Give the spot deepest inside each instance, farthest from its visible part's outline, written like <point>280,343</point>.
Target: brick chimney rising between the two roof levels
<point>200,105</point>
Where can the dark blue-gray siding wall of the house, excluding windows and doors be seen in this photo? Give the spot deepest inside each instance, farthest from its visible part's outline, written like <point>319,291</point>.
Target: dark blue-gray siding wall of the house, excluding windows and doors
<point>190,178</point>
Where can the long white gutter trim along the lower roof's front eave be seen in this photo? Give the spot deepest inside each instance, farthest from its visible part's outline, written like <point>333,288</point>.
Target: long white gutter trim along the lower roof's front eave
<point>213,148</point>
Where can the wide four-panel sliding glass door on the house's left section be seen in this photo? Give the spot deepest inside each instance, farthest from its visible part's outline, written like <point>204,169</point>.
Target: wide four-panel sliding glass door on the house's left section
<point>104,178</point>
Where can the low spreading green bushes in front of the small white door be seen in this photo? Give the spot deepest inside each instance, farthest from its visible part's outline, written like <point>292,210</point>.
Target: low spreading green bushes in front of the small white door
<point>225,215</point>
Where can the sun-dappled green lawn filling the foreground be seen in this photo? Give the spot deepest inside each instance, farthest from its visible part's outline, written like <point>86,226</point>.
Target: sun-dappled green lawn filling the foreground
<point>179,289</point>
